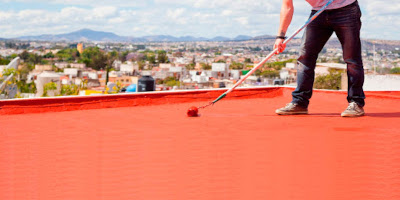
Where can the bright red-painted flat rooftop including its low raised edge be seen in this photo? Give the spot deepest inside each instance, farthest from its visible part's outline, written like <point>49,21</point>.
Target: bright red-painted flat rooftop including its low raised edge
<point>144,147</point>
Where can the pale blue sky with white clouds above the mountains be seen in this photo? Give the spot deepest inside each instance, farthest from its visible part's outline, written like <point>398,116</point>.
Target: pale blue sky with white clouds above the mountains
<point>199,18</point>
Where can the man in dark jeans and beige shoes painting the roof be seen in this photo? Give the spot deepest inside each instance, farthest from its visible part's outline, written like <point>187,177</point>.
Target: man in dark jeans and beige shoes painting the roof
<point>343,18</point>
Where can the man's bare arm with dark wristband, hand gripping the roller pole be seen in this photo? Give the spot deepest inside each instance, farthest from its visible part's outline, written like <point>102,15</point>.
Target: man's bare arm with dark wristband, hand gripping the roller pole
<point>286,18</point>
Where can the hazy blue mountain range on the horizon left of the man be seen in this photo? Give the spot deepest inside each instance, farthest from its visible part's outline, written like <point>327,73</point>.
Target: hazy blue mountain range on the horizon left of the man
<point>85,35</point>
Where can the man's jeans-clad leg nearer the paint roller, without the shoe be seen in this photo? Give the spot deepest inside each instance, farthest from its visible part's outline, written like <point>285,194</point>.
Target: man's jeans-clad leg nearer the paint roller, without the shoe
<point>315,37</point>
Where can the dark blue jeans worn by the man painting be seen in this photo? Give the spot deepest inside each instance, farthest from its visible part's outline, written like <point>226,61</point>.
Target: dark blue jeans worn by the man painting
<point>346,23</point>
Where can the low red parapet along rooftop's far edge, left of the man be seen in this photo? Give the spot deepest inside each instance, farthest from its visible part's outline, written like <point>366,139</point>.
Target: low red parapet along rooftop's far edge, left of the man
<point>60,104</point>
